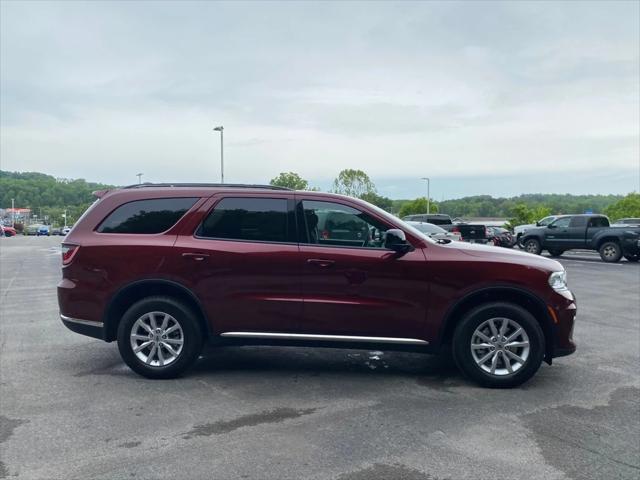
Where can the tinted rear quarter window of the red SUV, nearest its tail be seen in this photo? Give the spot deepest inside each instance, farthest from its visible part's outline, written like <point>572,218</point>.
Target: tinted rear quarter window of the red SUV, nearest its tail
<point>146,216</point>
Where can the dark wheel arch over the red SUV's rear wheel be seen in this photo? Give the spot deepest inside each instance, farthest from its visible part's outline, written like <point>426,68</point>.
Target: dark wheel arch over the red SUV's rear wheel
<point>132,292</point>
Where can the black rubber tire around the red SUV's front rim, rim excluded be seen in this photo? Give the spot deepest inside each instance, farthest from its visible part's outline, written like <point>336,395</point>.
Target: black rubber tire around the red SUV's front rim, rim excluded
<point>465,333</point>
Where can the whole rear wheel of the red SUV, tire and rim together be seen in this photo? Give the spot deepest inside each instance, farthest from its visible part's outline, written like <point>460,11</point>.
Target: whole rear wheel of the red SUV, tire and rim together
<point>159,337</point>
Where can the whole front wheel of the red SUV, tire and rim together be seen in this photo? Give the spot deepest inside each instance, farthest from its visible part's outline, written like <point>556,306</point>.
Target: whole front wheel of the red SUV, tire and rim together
<point>498,345</point>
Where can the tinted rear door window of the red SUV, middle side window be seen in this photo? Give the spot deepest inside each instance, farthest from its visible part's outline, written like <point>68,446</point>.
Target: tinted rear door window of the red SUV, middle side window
<point>252,219</point>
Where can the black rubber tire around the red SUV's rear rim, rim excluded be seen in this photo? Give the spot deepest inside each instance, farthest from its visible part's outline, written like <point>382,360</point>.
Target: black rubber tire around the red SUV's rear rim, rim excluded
<point>191,336</point>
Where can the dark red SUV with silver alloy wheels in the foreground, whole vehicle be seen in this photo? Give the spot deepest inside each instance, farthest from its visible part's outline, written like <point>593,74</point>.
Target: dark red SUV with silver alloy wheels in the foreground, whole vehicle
<point>162,268</point>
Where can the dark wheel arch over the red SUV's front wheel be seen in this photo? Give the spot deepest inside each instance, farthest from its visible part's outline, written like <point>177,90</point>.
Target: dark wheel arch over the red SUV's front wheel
<point>518,296</point>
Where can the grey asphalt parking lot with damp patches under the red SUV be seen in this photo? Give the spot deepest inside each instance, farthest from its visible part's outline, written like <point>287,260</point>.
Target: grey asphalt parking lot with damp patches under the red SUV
<point>70,409</point>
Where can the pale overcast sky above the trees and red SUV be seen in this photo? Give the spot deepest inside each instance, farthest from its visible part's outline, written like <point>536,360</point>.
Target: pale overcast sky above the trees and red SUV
<point>483,97</point>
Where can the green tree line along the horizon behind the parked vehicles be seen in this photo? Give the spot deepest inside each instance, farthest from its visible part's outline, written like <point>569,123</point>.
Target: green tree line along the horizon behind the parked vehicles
<point>48,196</point>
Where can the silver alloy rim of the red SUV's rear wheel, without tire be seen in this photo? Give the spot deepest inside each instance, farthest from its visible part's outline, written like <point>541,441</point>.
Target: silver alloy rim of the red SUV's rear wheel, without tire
<point>157,339</point>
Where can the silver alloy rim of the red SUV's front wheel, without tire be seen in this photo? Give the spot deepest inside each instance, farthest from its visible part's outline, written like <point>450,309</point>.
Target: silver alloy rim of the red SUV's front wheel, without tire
<point>500,346</point>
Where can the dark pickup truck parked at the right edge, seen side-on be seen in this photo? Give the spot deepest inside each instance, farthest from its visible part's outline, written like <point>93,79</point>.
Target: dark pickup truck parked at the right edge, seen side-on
<point>591,232</point>
